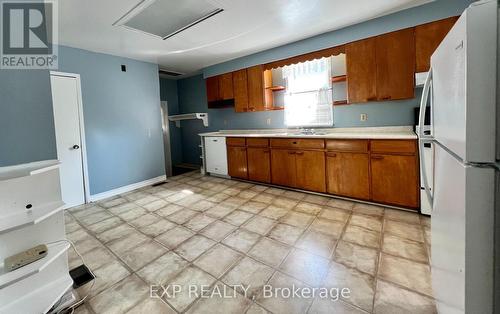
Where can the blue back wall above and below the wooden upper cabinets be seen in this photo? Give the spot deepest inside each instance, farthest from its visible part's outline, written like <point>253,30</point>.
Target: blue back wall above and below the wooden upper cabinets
<point>192,94</point>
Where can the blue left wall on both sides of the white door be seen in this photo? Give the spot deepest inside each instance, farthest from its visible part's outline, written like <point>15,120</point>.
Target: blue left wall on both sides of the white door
<point>121,114</point>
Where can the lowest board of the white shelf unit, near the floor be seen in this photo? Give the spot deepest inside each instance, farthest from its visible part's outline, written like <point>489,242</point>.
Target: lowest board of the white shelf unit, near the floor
<point>32,302</point>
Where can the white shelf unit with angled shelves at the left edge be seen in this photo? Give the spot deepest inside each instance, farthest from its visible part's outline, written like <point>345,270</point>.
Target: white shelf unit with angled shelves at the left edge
<point>31,213</point>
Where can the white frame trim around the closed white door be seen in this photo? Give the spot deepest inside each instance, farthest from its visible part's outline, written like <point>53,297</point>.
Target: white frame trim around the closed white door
<point>83,150</point>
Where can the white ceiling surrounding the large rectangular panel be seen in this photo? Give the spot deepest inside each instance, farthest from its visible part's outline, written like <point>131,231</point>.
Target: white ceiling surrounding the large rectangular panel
<point>245,27</point>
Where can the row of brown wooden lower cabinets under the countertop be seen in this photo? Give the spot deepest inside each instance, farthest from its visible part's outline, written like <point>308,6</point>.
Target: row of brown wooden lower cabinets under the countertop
<point>382,171</point>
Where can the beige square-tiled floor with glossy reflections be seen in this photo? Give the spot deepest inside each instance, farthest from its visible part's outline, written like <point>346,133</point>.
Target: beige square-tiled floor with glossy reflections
<point>225,233</point>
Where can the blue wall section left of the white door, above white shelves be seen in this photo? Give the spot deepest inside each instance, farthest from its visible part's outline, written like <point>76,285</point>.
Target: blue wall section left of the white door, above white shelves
<point>26,119</point>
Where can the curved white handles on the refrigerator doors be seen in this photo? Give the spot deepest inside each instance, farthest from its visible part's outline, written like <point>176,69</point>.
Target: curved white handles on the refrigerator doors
<point>422,137</point>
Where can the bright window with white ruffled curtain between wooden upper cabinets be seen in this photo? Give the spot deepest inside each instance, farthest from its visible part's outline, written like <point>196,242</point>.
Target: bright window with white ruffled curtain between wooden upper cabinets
<point>308,96</point>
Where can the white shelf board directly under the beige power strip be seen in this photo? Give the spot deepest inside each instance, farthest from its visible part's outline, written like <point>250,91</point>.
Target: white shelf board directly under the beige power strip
<point>53,252</point>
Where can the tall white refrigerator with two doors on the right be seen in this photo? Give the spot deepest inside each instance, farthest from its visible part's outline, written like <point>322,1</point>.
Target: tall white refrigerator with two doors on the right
<point>462,88</point>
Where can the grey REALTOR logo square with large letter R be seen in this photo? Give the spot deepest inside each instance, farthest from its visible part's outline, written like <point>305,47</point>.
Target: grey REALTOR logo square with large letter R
<point>29,35</point>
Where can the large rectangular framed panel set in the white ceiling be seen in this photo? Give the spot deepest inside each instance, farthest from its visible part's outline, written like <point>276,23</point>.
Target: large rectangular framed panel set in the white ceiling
<point>166,18</point>
